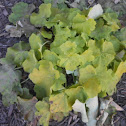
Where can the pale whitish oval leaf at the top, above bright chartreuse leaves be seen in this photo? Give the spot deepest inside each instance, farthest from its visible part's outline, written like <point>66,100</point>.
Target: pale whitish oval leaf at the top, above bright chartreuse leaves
<point>95,12</point>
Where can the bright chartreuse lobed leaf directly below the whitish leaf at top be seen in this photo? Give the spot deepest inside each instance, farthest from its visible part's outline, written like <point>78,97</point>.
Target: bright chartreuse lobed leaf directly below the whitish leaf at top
<point>80,24</point>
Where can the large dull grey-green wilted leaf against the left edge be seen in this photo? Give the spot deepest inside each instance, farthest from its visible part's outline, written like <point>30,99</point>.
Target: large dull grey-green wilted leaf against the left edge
<point>10,86</point>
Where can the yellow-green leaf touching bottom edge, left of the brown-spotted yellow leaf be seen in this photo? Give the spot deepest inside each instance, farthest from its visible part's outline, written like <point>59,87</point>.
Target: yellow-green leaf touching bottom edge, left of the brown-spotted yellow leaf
<point>43,110</point>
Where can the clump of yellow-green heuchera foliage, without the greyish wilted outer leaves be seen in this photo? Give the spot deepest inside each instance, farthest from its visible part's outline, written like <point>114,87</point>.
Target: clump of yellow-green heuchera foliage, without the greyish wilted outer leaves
<point>68,41</point>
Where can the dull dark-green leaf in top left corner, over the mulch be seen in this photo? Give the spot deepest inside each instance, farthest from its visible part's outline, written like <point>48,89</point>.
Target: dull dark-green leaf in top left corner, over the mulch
<point>20,10</point>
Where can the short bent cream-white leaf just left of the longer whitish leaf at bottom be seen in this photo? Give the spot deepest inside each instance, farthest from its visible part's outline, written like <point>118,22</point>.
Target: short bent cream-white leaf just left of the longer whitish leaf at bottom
<point>80,107</point>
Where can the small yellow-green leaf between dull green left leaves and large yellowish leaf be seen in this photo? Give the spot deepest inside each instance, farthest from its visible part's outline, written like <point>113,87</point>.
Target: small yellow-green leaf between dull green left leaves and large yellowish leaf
<point>31,62</point>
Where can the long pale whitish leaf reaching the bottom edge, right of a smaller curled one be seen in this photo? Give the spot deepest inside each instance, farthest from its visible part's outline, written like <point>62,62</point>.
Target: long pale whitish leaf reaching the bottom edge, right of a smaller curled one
<point>92,104</point>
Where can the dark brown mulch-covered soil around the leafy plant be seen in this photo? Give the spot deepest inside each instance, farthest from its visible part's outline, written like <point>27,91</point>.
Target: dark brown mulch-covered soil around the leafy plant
<point>11,116</point>
